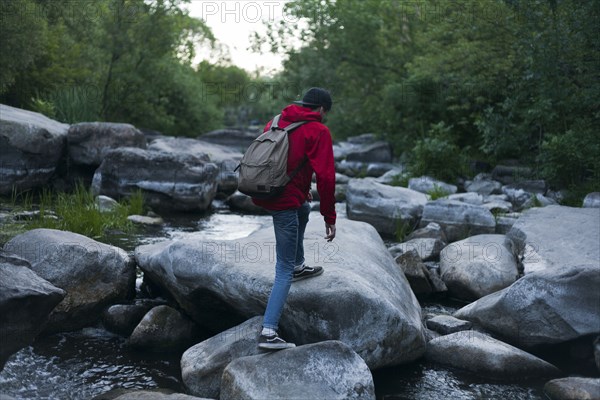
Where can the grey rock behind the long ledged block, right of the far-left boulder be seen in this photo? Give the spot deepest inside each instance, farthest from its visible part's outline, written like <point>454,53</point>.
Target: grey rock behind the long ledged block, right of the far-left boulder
<point>89,142</point>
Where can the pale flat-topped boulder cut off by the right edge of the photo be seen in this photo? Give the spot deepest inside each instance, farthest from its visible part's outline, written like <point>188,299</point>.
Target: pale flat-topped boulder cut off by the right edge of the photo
<point>554,236</point>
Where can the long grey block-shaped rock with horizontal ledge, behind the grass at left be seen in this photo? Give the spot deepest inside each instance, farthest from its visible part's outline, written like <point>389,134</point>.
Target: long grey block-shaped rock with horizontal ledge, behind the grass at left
<point>178,182</point>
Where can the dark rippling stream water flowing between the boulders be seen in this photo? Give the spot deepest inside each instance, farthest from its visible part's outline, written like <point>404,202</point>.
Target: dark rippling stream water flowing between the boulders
<point>92,361</point>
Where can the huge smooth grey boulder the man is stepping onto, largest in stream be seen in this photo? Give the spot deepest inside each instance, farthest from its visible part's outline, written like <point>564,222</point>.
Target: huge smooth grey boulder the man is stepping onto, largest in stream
<point>221,283</point>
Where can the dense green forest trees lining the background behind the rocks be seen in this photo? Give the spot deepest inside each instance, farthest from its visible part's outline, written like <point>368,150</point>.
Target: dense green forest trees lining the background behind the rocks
<point>451,84</point>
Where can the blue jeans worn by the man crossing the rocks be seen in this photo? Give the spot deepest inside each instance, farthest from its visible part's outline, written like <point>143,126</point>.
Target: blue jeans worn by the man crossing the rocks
<point>289,228</point>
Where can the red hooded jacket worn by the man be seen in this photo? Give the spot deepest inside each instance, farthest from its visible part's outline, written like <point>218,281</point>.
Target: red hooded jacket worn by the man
<point>312,140</point>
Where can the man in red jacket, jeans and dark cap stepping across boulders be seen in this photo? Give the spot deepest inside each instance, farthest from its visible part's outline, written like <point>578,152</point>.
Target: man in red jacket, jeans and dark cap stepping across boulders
<point>311,142</point>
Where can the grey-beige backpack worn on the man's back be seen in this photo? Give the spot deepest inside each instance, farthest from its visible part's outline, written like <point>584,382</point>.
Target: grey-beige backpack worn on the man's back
<point>263,168</point>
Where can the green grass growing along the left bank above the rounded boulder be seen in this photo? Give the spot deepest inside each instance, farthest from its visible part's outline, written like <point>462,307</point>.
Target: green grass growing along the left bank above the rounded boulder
<point>75,212</point>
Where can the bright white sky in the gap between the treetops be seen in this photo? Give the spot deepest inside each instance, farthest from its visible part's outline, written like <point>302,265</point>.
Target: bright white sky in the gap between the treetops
<point>232,23</point>
